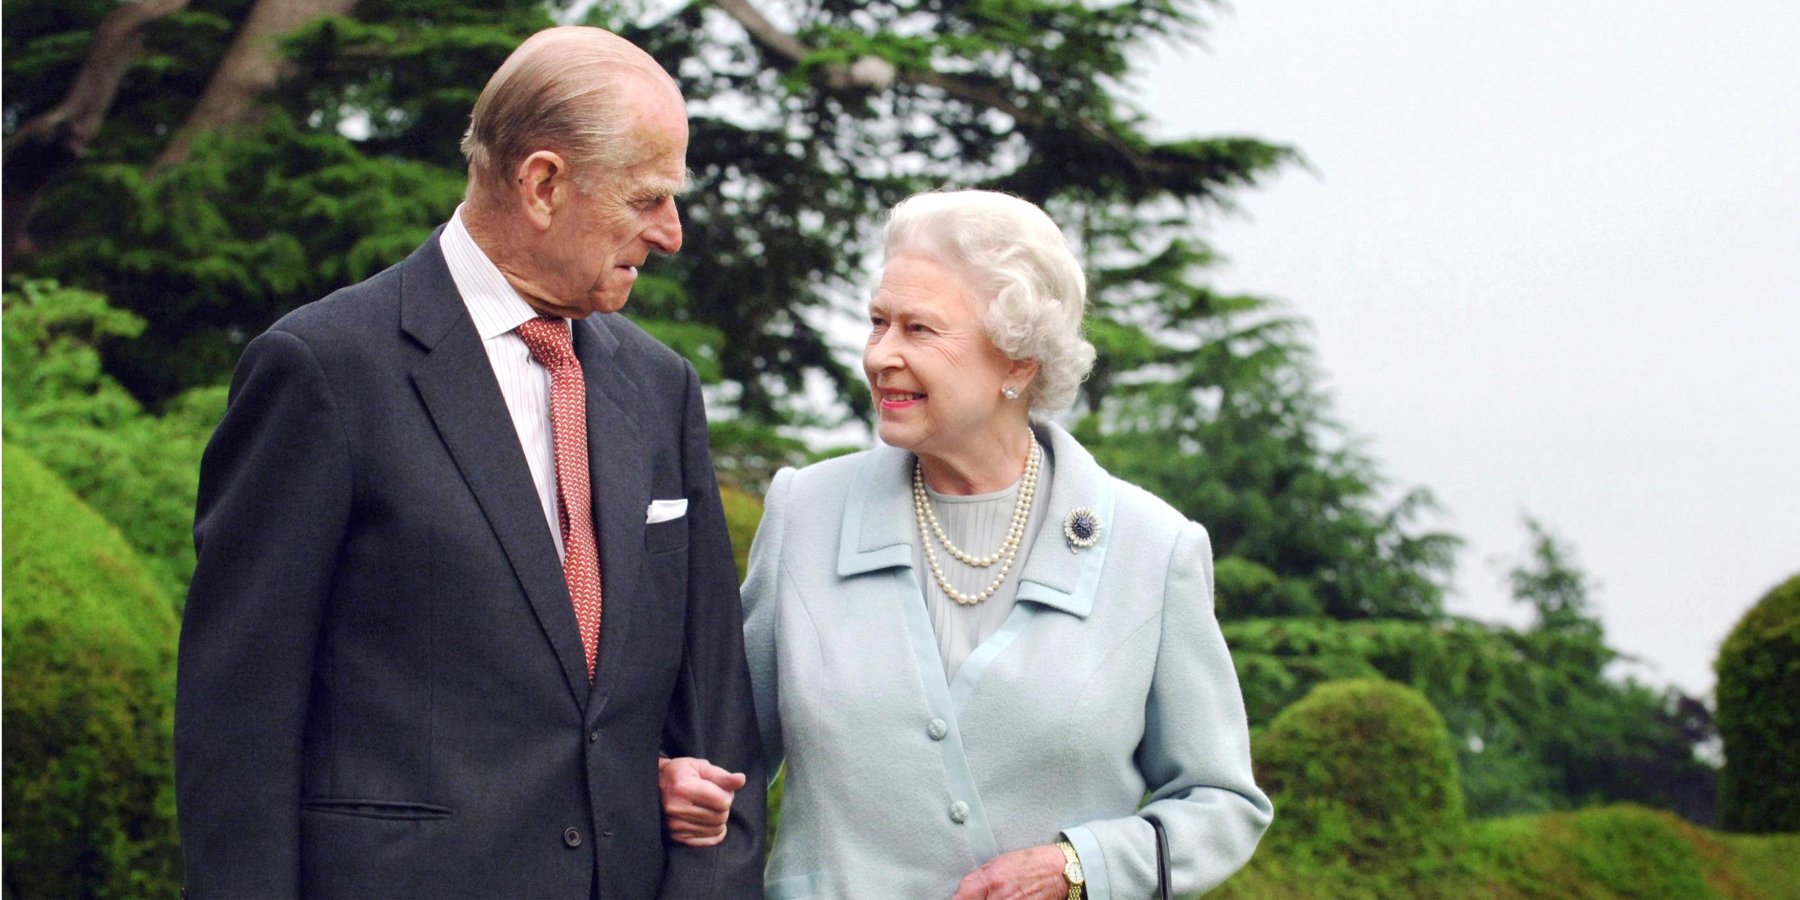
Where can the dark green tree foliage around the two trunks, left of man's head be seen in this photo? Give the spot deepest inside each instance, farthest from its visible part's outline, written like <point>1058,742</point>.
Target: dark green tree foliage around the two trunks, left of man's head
<point>274,215</point>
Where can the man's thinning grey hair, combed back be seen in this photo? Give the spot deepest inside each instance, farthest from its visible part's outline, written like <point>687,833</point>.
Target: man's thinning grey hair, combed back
<point>559,91</point>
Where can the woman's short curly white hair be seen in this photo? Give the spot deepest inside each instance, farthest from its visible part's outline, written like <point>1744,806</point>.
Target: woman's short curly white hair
<point>1018,264</point>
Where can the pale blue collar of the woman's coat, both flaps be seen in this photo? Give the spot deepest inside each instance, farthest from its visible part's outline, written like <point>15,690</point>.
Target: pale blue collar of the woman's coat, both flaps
<point>879,530</point>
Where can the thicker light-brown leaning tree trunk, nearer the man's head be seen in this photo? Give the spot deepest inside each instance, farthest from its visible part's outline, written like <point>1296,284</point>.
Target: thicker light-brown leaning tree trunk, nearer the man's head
<point>251,67</point>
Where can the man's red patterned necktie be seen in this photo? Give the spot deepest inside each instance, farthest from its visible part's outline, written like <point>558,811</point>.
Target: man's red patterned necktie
<point>552,346</point>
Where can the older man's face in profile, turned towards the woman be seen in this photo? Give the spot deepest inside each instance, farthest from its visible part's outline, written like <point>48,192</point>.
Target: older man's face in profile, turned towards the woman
<point>611,228</point>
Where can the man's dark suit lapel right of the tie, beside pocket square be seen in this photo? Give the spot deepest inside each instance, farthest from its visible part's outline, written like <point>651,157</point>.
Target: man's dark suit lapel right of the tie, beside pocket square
<point>620,474</point>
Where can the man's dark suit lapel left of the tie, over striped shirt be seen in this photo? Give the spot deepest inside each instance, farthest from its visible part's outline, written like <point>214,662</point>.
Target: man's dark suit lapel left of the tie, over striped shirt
<point>463,399</point>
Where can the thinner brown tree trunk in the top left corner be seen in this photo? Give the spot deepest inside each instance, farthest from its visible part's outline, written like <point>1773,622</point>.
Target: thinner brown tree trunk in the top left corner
<point>48,145</point>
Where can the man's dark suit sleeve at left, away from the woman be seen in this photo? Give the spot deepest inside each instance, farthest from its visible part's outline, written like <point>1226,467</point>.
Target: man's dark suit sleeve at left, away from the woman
<point>274,501</point>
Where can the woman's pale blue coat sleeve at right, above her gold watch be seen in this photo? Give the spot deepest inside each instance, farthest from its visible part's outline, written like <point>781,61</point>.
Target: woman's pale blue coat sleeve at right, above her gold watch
<point>1194,753</point>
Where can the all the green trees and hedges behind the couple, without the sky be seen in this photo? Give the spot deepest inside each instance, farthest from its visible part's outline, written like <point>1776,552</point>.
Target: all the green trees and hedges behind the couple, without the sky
<point>179,174</point>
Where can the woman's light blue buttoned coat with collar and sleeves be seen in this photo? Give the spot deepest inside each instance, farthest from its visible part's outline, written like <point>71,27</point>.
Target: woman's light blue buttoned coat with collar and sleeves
<point>1108,681</point>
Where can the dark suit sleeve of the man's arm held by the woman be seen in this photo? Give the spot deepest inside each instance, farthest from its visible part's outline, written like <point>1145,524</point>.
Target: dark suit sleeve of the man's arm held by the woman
<point>712,714</point>
